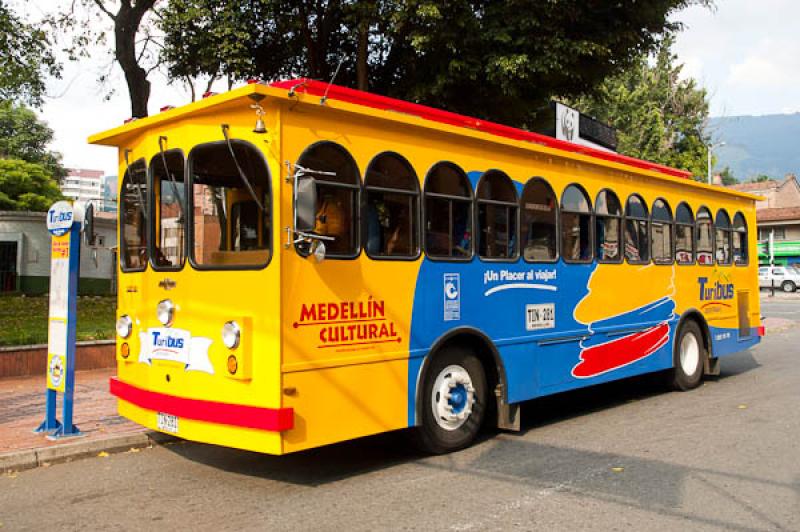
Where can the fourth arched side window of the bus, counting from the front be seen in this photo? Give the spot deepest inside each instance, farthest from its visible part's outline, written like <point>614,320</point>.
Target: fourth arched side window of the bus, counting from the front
<point>497,216</point>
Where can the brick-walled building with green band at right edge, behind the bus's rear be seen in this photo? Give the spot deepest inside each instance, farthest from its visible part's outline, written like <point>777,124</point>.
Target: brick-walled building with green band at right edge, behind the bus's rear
<point>777,214</point>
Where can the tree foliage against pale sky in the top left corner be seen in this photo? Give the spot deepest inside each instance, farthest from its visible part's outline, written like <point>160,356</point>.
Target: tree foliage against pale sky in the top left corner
<point>25,59</point>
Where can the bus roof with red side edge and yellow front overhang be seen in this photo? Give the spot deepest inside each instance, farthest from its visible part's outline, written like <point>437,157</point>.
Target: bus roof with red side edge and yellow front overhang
<point>401,111</point>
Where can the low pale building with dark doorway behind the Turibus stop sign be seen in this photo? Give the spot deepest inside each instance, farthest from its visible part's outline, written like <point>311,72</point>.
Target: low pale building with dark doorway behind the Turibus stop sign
<point>25,255</point>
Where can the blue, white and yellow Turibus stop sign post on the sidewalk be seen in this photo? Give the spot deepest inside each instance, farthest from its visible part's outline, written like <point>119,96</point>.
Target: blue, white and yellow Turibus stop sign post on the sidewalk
<point>64,223</point>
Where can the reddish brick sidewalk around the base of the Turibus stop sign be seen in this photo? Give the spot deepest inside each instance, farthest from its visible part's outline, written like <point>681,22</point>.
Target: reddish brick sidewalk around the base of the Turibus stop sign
<point>22,410</point>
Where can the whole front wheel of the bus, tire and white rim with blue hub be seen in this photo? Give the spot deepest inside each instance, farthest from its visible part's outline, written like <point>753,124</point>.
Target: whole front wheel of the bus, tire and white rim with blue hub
<point>454,401</point>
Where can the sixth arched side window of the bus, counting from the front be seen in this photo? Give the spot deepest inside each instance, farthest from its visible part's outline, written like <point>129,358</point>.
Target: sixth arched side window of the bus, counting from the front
<point>576,225</point>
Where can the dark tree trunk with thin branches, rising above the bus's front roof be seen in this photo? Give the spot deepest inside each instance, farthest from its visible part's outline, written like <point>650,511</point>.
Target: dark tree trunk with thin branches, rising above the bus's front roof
<point>126,17</point>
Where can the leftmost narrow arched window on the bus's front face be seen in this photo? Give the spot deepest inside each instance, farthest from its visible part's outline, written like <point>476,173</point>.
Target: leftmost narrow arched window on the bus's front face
<point>133,220</point>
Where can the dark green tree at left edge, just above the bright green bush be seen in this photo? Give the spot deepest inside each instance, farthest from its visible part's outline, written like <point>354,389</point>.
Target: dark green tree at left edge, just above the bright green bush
<point>23,136</point>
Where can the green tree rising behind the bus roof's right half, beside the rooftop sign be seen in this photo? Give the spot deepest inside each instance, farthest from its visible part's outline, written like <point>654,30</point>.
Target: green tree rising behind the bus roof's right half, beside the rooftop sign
<point>659,116</point>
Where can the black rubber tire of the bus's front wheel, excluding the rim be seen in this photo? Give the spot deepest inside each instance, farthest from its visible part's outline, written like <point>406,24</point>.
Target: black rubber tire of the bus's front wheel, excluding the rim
<point>433,435</point>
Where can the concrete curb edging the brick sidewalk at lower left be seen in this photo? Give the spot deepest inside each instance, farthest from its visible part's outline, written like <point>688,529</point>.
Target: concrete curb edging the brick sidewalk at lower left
<point>32,458</point>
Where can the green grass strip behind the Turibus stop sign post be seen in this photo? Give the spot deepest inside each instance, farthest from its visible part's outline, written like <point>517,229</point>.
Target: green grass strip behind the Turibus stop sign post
<point>23,320</point>
